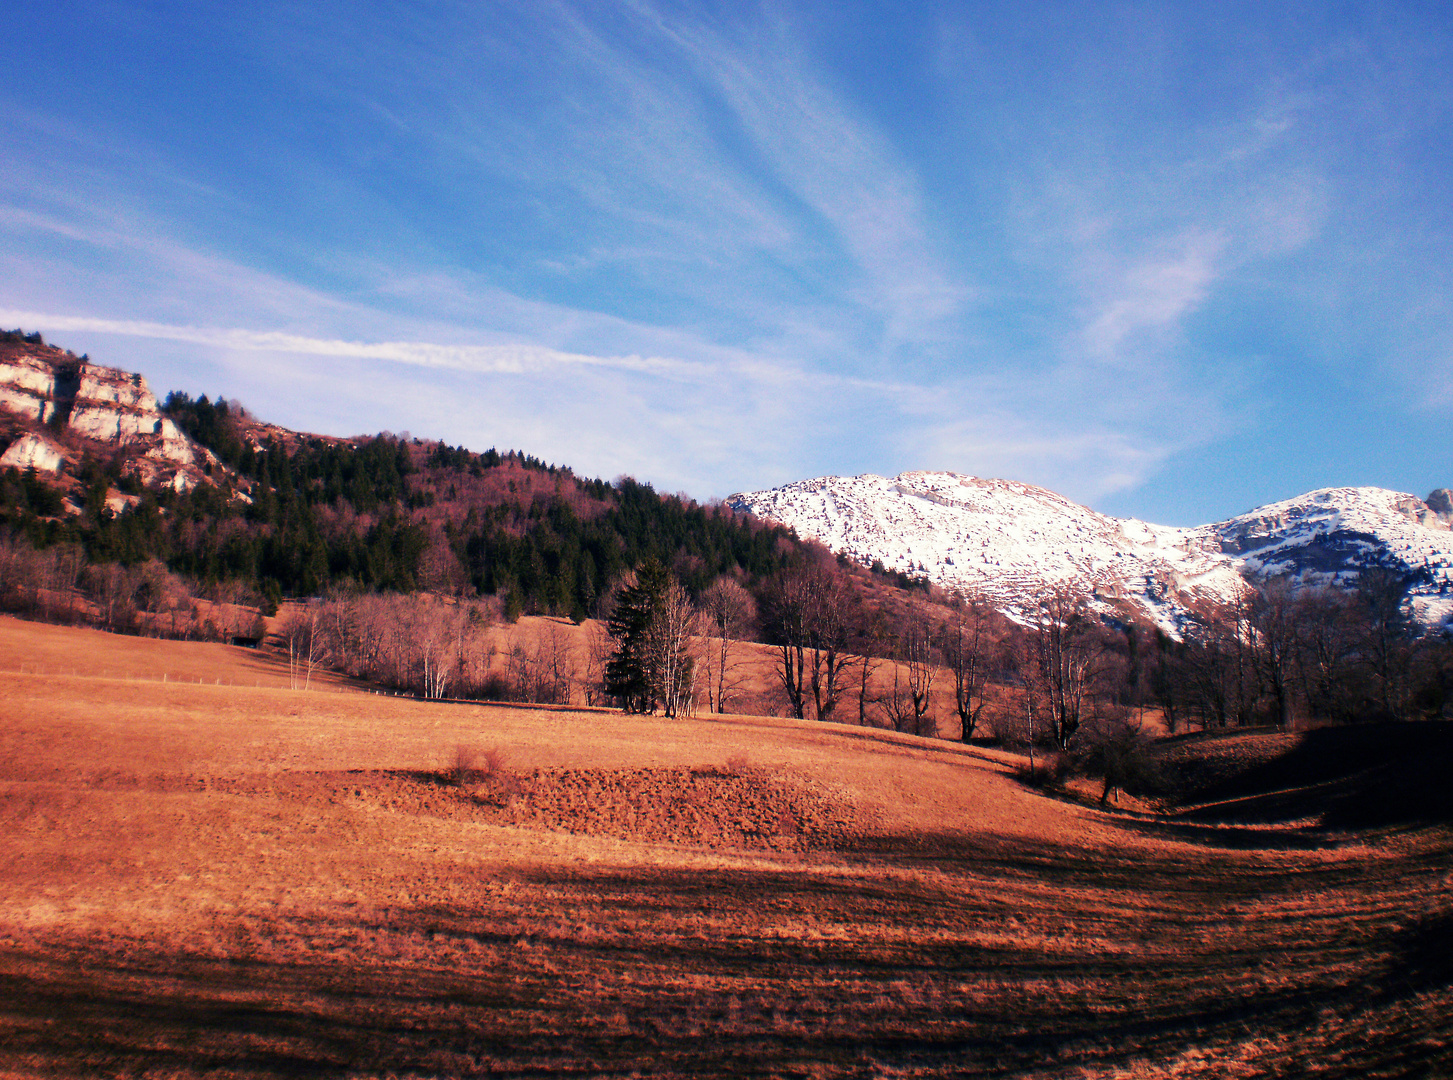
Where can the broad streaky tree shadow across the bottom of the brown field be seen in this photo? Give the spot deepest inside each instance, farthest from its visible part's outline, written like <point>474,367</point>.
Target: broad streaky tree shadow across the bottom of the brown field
<point>928,954</point>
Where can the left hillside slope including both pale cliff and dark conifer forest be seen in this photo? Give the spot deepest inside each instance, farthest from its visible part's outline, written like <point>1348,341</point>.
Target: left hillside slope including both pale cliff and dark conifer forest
<point>214,495</point>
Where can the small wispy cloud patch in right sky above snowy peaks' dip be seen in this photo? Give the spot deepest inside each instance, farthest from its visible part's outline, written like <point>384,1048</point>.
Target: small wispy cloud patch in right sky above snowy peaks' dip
<point>1141,254</point>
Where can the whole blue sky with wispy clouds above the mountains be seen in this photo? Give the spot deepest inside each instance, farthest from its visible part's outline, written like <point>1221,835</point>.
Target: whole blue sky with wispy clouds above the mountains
<point>1173,261</point>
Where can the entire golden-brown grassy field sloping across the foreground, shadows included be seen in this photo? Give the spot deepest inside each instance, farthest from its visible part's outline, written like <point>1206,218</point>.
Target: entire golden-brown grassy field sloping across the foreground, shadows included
<point>230,879</point>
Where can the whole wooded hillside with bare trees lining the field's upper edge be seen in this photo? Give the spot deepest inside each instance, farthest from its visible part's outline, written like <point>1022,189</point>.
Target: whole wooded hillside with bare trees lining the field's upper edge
<point>435,543</point>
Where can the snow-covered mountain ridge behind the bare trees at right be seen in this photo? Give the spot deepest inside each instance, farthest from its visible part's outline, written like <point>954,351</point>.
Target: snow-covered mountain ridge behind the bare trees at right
<point>1011,541</point>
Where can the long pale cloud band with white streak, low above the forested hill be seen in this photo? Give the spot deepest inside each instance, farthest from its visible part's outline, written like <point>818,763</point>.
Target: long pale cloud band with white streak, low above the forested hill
<point>662,402</point>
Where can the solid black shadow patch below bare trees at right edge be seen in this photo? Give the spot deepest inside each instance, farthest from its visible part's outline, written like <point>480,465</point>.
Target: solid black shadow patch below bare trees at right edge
<point>1356,777</point>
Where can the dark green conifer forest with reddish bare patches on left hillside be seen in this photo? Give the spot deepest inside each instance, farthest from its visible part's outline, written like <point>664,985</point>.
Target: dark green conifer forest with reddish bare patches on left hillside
<point>306,515</point>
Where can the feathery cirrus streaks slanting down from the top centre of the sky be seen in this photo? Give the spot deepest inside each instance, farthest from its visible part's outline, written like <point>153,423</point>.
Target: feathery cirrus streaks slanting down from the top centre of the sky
<point>716,164</point>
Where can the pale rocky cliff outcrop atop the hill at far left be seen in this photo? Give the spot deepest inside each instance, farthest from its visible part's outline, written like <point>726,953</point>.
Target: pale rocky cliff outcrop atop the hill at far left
<point>60,405</point>
